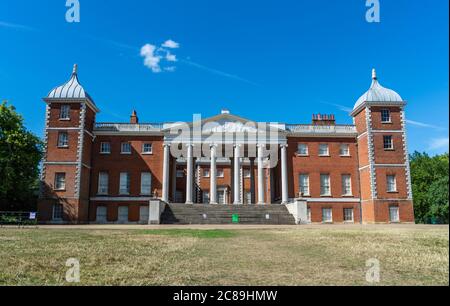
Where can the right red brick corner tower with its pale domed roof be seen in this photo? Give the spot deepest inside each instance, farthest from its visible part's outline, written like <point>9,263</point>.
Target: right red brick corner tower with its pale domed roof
<point>385,182</point>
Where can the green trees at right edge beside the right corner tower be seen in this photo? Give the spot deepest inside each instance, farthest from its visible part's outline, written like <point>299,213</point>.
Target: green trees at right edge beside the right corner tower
<point>429,176</point>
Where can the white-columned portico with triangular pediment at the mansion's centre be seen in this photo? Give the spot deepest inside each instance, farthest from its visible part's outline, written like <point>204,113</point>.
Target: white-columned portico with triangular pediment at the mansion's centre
<point>246,149</point>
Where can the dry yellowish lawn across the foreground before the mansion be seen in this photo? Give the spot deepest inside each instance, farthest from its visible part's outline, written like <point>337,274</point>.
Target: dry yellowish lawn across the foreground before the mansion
<point>288,256</point>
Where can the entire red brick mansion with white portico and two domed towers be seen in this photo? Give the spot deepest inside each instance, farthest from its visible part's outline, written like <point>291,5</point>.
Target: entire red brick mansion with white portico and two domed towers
<point>109,172</point>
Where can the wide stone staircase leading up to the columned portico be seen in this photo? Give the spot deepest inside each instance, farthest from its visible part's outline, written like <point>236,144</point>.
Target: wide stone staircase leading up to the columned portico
<point>222,214</point>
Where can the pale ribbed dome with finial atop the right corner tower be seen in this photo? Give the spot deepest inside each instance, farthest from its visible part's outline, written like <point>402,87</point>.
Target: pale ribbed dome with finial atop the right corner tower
<point>378,95</point>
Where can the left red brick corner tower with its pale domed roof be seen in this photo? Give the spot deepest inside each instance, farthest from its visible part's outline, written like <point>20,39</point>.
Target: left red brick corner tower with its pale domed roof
<point>70,119</point>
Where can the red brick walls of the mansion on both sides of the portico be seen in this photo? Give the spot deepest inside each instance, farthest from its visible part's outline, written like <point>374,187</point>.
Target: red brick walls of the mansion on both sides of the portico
<point>368,165</point>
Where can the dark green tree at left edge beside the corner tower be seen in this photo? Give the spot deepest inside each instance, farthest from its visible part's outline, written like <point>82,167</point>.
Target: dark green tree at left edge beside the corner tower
<point>20,154</point>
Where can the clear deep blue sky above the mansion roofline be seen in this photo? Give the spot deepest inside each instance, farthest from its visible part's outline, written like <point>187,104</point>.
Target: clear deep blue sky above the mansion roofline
<point>264,60</point>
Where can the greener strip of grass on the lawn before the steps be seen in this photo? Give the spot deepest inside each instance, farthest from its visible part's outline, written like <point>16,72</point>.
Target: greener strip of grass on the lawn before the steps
<point>205,234</point>
